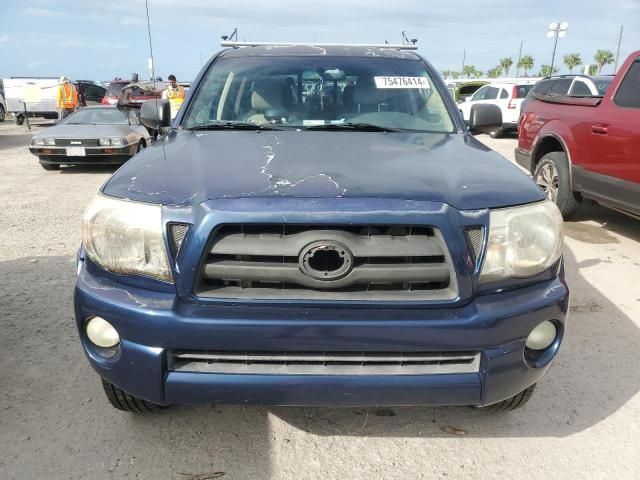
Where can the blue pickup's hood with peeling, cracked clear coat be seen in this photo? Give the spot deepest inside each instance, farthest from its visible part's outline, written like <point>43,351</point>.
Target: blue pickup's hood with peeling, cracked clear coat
<point>186,168</point>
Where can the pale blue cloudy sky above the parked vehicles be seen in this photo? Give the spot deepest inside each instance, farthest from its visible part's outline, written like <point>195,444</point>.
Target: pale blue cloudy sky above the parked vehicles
<point>101,39</point>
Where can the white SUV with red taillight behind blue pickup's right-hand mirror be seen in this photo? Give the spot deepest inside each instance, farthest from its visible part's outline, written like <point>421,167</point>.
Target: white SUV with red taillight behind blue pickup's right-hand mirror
<point>508,96</point>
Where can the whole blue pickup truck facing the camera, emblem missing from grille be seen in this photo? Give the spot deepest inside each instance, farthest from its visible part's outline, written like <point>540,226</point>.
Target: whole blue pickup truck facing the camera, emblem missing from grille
<point>318,227</point>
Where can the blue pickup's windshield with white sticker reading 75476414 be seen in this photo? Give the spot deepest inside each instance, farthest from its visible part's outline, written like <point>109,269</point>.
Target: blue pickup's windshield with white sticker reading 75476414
<point>312,91</point>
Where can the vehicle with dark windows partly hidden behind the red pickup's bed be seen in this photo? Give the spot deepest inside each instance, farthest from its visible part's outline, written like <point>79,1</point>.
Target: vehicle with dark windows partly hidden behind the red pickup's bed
<point>573,85</point>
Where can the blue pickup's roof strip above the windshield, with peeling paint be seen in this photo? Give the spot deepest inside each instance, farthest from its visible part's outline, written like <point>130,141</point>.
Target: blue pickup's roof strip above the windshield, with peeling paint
<point>310,50</point>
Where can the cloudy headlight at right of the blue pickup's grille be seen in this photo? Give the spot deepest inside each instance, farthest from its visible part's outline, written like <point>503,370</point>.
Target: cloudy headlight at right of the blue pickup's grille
<point>523,241</point>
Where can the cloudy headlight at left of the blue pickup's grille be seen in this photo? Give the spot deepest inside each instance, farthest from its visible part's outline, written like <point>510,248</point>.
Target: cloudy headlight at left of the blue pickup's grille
<point>126,237</point>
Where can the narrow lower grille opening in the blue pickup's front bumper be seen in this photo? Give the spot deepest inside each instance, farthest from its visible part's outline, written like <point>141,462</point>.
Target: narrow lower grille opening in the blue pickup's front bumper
<point>325,363</point>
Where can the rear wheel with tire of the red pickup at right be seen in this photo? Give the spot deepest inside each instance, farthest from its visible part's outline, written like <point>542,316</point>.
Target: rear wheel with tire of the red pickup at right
<point>553,177</point>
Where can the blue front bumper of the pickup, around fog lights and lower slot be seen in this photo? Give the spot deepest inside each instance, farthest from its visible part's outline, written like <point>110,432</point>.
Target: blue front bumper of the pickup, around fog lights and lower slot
<point>151,324</point>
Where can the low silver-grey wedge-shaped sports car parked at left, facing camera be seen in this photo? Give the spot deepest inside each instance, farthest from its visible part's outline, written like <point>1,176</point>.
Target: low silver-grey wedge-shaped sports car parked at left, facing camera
<point>91,135</point>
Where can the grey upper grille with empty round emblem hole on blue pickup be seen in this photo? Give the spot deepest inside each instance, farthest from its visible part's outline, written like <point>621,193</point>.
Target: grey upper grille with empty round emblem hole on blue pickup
<point>327,263</point>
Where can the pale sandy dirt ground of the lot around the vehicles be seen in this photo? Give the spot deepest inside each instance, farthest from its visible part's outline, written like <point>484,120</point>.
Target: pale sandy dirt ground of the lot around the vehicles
<point>583,422</point>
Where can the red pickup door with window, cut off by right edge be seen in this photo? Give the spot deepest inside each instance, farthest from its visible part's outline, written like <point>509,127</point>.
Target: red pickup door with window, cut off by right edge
<point>614,144</point>
